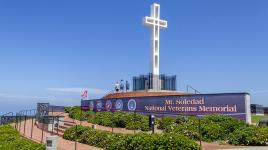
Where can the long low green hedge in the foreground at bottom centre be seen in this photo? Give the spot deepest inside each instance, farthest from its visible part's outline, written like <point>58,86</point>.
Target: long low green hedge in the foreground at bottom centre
<point>112,141</point>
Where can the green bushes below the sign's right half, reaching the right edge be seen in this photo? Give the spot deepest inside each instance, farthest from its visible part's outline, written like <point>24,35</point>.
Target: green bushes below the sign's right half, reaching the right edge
<point>219,128</point>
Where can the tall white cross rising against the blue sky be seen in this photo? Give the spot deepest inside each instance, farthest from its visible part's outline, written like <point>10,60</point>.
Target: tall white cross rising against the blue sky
<point>155,23</point>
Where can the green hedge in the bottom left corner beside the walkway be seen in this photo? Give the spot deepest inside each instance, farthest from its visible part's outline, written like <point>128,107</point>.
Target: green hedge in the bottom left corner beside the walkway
<point>10,139</point>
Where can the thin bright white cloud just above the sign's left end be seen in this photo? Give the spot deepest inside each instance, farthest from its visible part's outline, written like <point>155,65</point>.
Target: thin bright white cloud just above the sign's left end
<point>79,90</point>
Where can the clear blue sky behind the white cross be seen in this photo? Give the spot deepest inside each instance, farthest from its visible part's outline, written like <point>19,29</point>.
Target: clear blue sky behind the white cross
<point>51,50</point>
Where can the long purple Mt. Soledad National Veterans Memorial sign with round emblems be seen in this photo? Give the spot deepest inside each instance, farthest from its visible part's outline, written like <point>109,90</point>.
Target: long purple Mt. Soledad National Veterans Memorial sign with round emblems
<point>233,104</point>
